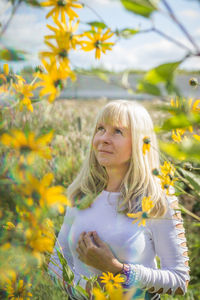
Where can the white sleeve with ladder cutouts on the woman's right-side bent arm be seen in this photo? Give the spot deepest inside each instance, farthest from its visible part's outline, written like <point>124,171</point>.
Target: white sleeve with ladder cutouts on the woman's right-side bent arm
<point>167,234</point>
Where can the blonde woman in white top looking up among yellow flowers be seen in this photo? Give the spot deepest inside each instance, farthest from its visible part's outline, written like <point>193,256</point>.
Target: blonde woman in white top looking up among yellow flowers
<point>97,235</point>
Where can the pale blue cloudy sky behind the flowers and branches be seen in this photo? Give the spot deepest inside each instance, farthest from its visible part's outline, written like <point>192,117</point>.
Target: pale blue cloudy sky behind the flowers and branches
<point>142,51</point>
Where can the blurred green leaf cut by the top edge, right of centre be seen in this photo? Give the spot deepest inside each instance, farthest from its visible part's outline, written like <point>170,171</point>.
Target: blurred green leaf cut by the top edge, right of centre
<point>140,7</point>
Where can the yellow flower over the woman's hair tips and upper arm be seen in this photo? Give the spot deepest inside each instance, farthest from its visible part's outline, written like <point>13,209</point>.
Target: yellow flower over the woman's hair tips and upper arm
<point>141,216</point>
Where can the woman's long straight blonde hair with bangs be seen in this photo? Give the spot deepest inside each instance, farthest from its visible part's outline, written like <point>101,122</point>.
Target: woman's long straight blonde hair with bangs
<point>139,181</point>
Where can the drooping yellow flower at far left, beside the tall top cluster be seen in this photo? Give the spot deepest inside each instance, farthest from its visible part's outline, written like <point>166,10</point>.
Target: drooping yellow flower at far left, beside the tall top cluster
<point>24,92</point>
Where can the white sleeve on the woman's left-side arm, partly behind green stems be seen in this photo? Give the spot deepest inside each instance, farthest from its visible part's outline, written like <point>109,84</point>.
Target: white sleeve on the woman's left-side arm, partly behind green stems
<point>62,244</point>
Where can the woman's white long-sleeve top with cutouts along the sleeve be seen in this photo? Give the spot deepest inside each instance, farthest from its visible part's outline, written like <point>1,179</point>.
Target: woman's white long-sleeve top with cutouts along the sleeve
<point>129,243</point>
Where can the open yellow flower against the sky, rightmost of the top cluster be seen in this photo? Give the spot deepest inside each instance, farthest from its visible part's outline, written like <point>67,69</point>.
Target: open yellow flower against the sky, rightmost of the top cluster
<point>97,41</point>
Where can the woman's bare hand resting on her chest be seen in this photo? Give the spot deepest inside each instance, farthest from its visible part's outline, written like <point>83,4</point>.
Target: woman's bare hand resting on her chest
<point>94,252</point>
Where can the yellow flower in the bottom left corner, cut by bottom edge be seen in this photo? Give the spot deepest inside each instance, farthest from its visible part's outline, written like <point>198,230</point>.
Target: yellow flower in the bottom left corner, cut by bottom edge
<point>17,289</point>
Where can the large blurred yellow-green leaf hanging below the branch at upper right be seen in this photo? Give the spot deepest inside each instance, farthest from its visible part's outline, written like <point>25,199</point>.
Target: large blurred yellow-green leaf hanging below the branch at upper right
<point>162,73</point>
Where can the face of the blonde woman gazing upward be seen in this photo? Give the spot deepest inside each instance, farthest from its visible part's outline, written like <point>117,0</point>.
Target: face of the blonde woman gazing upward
<point>112,145</point>
